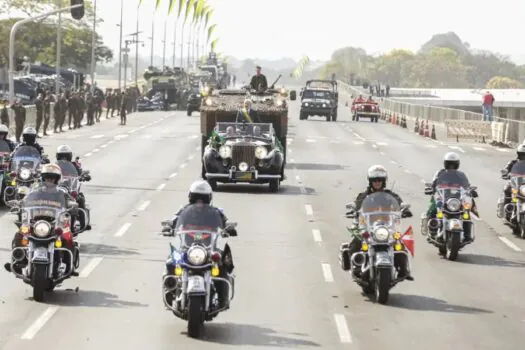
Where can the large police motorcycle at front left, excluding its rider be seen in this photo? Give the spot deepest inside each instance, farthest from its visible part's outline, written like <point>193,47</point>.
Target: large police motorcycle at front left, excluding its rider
<point>45,227</point>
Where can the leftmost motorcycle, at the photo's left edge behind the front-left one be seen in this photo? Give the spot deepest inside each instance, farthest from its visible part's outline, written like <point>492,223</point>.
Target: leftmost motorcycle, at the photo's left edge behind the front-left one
<point>24,171</point>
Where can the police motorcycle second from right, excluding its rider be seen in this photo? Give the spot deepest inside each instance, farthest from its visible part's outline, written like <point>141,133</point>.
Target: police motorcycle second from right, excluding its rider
<point>453,198</point>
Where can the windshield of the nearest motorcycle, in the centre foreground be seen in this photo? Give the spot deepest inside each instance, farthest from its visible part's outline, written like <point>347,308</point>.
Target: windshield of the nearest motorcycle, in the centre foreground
<point>198,224</point>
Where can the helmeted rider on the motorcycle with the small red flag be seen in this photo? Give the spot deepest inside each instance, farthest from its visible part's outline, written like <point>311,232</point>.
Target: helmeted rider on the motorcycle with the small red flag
<point>377,178</point>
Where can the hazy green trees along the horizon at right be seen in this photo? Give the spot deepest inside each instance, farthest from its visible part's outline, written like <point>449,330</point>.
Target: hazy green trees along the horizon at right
<point>443,62</point>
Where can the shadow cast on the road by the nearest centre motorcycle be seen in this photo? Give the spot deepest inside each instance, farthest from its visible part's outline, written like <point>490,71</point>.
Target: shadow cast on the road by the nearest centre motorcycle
<point>252,335</point>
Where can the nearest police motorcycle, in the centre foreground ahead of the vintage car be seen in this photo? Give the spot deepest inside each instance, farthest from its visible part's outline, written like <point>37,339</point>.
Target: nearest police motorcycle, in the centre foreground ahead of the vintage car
<point>195,273</point>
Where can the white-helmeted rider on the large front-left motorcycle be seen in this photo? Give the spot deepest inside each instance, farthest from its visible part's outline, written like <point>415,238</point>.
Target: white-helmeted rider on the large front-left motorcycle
<point>51,175</point>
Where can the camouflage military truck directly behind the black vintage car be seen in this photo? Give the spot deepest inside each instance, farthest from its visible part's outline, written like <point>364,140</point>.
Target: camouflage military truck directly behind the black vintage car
<point>223,106</point>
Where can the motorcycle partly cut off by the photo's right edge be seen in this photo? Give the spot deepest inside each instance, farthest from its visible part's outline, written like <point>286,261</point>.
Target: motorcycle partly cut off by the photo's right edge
<point>513,213</point>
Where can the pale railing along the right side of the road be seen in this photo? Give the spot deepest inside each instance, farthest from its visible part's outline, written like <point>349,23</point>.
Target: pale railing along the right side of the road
<point>458,123</point>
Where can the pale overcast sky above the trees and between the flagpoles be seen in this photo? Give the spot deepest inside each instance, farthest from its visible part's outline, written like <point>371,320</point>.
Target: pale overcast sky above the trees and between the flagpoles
<point>292,28</point>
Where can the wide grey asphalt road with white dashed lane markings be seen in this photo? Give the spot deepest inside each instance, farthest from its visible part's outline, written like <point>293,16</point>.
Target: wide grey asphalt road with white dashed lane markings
<point>290,291</point>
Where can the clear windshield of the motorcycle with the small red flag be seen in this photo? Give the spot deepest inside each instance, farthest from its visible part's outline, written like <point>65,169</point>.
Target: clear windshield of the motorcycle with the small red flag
<point>380,209</point>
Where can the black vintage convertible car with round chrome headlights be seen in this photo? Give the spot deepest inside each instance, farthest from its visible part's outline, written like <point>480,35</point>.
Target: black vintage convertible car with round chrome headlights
<point>241,152</point>
